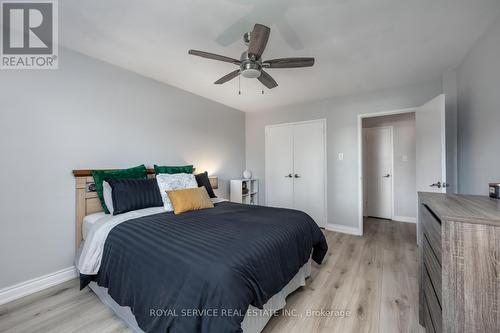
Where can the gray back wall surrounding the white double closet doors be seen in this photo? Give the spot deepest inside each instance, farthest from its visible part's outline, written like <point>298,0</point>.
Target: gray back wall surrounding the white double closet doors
<point>341,115</point>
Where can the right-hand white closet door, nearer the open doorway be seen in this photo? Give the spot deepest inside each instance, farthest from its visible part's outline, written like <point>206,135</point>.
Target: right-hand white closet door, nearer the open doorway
<point>309,169</point>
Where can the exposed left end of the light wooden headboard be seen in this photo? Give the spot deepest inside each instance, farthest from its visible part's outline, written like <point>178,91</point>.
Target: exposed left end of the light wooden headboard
<point>87,201</point>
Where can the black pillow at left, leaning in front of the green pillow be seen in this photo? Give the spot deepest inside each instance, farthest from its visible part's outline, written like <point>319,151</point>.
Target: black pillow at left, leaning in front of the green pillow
<point>133,194</point>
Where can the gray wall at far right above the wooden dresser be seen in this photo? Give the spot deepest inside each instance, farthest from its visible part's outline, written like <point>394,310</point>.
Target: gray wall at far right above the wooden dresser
<point>479,115</point>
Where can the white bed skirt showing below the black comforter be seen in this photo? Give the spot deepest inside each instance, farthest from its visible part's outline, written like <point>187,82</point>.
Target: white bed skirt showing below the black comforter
<point>254,322</point>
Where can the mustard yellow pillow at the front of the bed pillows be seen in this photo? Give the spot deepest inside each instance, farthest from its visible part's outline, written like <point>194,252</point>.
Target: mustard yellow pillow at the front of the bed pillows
<point>189,199</point>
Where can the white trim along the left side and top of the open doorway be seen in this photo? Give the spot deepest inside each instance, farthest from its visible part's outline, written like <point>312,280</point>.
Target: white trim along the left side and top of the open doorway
<point>360,156</point>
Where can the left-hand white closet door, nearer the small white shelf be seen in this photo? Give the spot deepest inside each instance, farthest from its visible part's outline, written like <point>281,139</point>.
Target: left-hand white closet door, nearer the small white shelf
<point>279,166</point>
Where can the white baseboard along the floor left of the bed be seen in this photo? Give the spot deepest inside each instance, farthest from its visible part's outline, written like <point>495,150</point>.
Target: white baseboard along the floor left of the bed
<point>32,286</point>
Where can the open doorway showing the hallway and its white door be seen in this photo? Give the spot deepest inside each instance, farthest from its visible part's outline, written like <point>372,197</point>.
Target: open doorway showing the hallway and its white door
<point>389,167</point>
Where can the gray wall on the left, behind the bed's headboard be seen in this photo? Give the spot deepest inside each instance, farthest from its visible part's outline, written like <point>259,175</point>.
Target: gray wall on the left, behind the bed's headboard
<point>89,114</point>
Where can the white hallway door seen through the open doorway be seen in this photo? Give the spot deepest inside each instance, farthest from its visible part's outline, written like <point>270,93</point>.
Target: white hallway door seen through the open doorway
<point>378,161</point>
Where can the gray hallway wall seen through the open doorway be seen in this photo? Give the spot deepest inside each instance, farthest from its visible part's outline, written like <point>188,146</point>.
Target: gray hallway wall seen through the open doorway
<point>404,173</point>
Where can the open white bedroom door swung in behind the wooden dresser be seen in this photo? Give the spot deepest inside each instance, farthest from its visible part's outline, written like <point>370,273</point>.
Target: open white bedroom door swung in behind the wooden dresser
<point>431,146</point>
